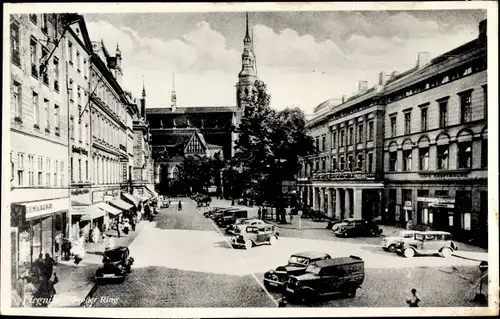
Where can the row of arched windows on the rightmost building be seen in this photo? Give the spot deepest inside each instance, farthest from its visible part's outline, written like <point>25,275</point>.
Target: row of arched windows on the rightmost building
<point>464,157</point>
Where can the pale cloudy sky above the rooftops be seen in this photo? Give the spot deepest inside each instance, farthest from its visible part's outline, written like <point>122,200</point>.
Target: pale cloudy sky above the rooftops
<point>304,57</point>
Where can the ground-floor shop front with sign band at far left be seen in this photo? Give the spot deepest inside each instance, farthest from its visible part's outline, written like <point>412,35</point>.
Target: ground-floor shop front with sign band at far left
<point>40,225</point>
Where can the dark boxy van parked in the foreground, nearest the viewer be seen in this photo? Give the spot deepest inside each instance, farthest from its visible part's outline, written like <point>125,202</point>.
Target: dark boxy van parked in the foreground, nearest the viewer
<point>342,275</point>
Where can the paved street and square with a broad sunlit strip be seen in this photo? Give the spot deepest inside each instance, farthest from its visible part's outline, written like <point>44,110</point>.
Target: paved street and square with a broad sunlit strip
<point>182,260</point>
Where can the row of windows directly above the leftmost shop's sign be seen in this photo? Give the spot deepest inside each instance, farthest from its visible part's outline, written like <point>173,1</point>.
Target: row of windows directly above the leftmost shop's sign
<point>31,170</point>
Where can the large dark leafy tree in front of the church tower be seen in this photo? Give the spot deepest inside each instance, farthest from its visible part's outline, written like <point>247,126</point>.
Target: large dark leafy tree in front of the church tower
<point>269,146</point>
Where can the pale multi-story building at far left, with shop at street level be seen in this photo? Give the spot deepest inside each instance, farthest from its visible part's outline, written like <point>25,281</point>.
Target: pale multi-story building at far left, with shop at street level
<point>39,157</point>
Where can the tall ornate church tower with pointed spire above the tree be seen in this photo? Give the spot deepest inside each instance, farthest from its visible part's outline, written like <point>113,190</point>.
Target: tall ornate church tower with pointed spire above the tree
<point>248,73</point>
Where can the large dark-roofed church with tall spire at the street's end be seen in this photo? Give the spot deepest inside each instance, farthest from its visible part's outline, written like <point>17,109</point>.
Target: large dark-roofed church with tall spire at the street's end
<point>181,131</point>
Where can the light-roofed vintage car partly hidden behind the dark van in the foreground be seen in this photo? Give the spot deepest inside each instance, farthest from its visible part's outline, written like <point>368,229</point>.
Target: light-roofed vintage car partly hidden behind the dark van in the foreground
<point>297,264</point>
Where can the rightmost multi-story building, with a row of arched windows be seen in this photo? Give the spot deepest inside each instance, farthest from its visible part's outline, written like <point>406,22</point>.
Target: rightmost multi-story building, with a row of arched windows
<point>435,142</point>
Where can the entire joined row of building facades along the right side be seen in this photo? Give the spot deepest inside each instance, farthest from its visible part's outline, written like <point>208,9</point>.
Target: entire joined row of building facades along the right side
<point>412,148</point>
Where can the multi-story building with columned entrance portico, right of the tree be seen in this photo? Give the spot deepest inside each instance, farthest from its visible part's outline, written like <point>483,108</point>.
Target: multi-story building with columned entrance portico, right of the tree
<point>345,177</point>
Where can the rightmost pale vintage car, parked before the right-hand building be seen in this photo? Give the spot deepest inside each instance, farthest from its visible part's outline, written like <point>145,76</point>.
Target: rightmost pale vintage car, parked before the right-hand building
<point>427,243</point>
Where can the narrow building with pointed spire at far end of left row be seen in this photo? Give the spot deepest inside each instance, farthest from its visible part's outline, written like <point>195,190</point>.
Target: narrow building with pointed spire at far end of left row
<point>143,179</point>
